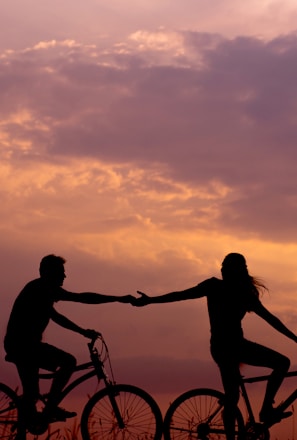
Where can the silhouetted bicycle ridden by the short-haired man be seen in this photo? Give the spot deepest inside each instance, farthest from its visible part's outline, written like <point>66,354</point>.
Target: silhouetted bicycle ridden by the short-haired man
<point>115,412</point>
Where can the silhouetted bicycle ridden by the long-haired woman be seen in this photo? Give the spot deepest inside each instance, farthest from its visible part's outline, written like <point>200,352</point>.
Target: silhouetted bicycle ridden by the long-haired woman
<point>198,414</point>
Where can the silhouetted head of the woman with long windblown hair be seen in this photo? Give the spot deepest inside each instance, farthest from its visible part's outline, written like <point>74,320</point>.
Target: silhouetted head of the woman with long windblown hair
<point>235,272</point>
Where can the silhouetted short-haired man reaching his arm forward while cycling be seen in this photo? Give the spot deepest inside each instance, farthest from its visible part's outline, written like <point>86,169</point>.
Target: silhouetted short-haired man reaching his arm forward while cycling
<point>30,315</point>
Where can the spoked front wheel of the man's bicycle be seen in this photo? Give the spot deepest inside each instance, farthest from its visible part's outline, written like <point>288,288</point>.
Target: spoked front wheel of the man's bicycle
<point>139,414</point>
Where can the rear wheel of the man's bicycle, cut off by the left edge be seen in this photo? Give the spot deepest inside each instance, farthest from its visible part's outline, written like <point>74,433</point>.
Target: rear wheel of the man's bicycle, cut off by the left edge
<point>8,413</point>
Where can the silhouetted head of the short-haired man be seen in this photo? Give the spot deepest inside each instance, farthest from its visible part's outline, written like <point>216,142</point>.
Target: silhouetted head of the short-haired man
<point>52,269</point>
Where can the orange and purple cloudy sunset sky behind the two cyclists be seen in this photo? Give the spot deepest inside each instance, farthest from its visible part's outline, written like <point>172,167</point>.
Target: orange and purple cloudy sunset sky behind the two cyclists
<point>144,140</point>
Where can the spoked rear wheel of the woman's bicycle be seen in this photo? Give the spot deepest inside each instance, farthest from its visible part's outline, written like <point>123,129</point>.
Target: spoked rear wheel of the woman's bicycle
<point>198,414</point>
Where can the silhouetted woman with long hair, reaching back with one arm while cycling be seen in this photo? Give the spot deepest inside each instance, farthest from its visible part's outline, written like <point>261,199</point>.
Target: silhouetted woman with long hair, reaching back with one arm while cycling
<point>228,300</point>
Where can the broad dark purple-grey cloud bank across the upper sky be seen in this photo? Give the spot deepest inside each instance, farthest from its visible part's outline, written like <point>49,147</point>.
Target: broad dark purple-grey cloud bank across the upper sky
<point>224,112</point>
